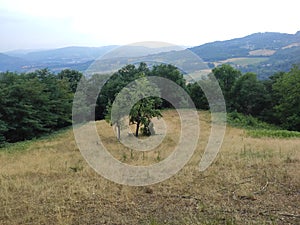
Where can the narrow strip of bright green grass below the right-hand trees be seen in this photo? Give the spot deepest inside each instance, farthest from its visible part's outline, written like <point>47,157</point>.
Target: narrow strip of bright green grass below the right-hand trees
<point>273,133</point>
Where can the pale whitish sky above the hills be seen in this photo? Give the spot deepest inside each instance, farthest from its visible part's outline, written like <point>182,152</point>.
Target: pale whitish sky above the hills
<point>45,24</point>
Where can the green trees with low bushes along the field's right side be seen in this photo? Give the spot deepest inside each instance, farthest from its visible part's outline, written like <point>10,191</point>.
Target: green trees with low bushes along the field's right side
<point>275,100</point>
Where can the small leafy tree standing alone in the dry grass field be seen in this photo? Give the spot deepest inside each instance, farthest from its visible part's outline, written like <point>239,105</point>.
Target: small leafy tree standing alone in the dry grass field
<point>136,101</point>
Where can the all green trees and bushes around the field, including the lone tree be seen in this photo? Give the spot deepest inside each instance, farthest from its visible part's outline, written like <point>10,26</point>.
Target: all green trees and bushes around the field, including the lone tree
<point>40,102</point>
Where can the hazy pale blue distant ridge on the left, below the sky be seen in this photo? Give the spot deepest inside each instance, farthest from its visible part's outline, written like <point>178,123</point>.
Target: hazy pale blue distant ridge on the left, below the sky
<point>74,57</point>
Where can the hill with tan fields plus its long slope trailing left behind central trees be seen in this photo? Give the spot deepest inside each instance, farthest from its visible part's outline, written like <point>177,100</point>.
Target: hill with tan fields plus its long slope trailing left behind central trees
<point>261,53</point>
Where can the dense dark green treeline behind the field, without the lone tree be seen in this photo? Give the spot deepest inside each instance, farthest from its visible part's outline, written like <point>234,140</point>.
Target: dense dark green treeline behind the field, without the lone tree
<point>40,102</point>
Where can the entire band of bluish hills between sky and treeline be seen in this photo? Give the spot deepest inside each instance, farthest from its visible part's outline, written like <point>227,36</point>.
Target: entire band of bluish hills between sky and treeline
<point>262,53</point>
